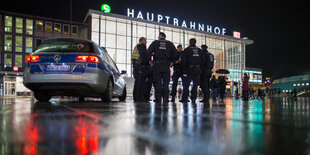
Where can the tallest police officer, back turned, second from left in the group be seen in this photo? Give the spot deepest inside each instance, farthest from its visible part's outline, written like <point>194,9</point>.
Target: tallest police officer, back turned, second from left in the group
<point>164,54</point>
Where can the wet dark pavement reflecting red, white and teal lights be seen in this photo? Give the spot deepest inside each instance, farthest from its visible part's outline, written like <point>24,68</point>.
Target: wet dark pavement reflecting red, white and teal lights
<point>270,126</point>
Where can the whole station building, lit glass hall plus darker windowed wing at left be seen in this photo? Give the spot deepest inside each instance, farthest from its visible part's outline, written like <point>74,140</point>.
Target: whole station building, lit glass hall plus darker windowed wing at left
<point>118,33</point>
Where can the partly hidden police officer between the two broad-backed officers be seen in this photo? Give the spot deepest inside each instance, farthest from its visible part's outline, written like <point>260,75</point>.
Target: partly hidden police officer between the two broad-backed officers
<point>177,72</point>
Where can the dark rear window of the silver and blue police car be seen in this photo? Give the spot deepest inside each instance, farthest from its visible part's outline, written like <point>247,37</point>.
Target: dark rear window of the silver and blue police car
<point>65,46</point>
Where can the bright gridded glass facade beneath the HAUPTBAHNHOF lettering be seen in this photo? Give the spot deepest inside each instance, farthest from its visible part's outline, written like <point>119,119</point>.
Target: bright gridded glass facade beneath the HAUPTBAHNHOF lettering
<point>120,35</point>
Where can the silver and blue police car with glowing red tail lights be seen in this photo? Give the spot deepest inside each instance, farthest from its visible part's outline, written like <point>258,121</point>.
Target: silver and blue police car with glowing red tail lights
<point>73,67</point>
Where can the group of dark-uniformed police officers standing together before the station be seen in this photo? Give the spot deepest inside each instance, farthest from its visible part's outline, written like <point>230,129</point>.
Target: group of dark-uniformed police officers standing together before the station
<point>152,66</point>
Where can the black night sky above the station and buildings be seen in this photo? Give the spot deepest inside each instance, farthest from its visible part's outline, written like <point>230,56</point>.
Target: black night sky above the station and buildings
<point>278,28</point>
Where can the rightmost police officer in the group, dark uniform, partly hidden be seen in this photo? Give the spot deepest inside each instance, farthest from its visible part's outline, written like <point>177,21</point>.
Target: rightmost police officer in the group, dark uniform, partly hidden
<point>206,72</point>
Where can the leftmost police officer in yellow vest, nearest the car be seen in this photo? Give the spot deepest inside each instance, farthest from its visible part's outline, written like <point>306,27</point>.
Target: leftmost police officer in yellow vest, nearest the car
<point>139,62</point>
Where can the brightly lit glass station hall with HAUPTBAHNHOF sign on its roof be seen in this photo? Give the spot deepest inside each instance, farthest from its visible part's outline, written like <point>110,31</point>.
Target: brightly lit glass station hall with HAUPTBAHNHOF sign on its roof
<point>119,33</point>
